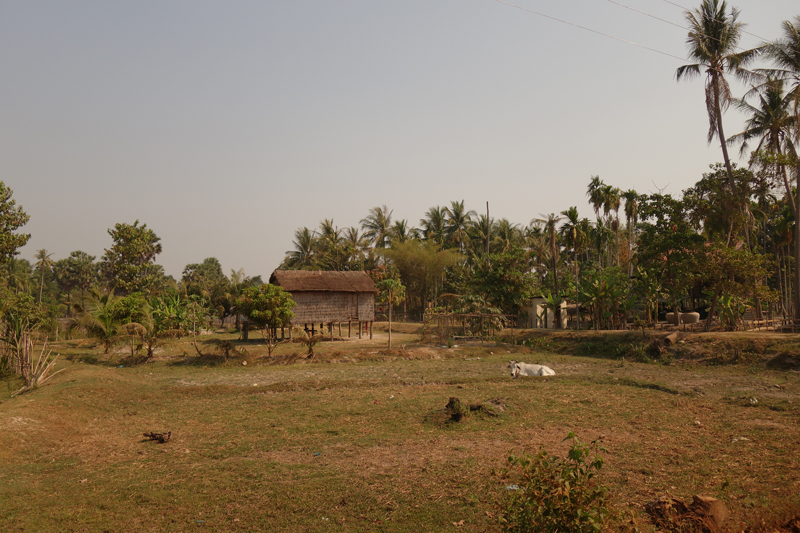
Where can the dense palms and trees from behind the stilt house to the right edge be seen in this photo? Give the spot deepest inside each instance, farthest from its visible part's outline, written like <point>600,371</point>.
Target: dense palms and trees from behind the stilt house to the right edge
<point>726,244</point>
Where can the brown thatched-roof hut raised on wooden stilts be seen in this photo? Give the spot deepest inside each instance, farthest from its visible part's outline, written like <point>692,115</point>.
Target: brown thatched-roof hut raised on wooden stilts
<point>328,298</point>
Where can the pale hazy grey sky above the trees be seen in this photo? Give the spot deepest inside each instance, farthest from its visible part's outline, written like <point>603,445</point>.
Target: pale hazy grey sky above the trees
<point>225,126</point>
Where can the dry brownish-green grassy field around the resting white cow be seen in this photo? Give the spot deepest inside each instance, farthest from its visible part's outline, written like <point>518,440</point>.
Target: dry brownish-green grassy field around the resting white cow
<point>356,438</point>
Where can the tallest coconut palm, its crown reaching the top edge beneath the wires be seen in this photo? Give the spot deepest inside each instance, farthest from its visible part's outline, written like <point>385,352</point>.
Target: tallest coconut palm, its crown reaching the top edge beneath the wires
<point>714,34</point>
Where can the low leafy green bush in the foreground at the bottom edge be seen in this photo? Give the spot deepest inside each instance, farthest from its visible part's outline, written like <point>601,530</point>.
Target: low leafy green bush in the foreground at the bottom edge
<point>549,494</point>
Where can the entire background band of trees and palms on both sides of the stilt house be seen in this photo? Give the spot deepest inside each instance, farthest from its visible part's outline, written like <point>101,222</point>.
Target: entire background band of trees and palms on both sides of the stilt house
<point>728,243</point>
